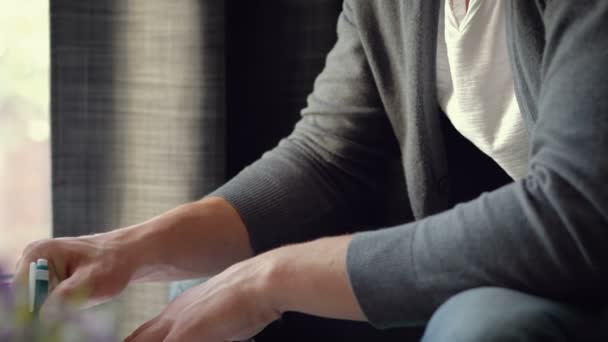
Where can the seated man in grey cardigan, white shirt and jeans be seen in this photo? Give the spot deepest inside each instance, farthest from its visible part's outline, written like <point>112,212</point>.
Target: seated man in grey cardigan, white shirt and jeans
<point>524,81</point>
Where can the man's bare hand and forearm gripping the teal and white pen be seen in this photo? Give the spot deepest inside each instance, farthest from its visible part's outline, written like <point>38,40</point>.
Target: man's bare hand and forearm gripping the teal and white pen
<point>193,240</point>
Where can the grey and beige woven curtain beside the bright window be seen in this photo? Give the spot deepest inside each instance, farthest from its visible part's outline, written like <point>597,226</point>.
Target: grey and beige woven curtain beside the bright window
<point>138,117</point>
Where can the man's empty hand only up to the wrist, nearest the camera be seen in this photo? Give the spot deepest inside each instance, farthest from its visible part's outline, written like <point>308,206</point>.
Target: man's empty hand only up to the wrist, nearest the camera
<point>235,305</point>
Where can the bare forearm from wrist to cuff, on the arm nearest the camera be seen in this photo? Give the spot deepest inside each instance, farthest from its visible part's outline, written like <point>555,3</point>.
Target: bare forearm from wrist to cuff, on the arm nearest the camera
<point>311,278</point>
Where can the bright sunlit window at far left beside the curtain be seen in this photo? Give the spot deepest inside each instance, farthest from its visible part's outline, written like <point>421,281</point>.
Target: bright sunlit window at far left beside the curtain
<point>25,199</point>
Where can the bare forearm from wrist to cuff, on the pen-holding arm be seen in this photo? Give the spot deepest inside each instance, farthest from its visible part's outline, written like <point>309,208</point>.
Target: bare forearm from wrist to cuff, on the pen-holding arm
<point>196,239</point>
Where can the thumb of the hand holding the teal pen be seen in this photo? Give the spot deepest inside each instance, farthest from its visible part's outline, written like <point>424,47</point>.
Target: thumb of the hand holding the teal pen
<point>72,291</point>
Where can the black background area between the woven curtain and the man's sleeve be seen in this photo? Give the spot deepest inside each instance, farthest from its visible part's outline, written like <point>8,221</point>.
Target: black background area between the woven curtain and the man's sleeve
<point>275,49</point>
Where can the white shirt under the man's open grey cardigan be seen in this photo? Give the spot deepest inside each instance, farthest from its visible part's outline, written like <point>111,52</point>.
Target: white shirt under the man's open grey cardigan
<point>475,83</point>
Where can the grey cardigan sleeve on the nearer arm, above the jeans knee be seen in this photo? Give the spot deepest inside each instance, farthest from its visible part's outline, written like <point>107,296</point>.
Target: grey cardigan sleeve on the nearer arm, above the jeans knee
<point>546,234</point>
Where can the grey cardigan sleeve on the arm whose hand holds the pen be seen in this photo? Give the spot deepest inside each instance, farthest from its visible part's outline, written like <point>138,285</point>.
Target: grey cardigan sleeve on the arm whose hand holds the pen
<point>303,188</point>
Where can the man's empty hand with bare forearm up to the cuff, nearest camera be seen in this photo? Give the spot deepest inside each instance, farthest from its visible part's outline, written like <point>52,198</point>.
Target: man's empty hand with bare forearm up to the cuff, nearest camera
<point>239,302</point>
